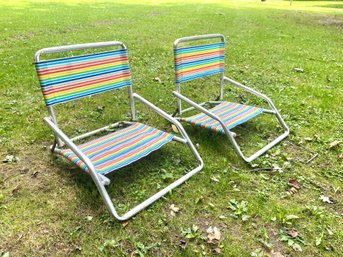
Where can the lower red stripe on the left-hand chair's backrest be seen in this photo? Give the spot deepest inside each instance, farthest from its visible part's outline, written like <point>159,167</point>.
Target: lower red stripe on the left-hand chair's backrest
<point>82,84</point>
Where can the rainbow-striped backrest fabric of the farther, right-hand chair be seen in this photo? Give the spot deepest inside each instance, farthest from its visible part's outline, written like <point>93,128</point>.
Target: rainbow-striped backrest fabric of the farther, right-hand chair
<point>198,61</point>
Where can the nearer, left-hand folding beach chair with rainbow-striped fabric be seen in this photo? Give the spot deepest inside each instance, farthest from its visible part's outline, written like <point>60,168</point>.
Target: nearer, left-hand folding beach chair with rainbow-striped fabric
<point>70,78</point>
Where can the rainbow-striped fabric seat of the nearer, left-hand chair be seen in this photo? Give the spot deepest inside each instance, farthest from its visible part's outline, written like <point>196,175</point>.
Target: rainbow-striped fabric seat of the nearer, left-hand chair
<point>119,149</point>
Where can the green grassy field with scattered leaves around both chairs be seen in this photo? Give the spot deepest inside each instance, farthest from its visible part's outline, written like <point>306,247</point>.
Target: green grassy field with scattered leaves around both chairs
<point>50,208</point>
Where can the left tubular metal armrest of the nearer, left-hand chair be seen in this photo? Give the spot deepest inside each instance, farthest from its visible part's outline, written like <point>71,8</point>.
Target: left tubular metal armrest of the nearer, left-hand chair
<point>70,144</point>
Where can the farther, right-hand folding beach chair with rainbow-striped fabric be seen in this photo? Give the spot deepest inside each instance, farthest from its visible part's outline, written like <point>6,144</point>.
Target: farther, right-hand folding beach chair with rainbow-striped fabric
<point>201,60</point>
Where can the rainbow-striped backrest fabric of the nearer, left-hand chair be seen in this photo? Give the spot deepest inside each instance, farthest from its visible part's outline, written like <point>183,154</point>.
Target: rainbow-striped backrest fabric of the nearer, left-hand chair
<point>70,78</point>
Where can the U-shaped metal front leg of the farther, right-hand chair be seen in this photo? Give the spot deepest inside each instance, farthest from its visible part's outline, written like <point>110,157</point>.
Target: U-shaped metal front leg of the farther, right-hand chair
<point>266,147</point>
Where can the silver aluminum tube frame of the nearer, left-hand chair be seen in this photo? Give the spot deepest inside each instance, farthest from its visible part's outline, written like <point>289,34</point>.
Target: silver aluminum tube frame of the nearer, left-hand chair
<point>61,139</point>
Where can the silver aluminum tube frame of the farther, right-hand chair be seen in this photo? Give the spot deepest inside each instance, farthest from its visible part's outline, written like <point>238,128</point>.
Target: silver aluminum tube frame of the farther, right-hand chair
<point>223,79</point>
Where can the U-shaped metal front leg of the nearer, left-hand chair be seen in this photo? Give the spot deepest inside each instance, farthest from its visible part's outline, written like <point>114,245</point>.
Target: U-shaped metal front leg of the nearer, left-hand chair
<point>109,204</point>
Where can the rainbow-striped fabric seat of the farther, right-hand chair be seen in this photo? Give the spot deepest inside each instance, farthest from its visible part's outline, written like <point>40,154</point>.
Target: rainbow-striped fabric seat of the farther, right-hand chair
<point>232,115</point>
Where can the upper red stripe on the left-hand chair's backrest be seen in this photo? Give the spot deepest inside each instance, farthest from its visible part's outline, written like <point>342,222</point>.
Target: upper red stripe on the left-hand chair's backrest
<point>79,66</point>
